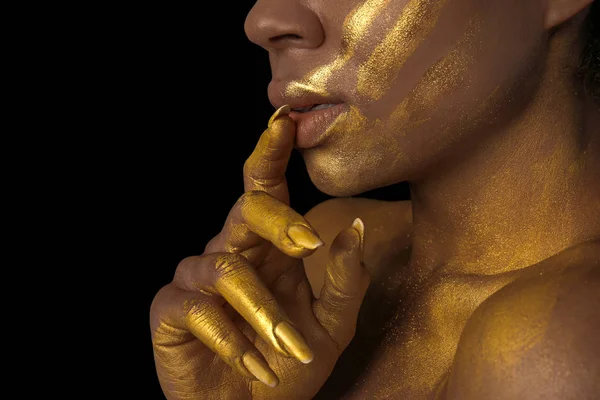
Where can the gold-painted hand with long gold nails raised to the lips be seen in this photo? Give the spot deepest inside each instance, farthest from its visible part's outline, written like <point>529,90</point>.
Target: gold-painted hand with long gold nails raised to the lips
<point>239,321</point>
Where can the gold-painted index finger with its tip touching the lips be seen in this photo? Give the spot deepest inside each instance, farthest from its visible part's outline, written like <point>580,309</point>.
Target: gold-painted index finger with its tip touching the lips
<point>265,168</point>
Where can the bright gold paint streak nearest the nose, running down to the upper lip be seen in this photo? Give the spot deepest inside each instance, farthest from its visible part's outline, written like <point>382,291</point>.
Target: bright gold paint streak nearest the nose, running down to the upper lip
<point>355,28</point>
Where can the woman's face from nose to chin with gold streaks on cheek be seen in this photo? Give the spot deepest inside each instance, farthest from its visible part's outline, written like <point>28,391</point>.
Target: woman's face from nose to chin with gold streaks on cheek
<point>418,81</point>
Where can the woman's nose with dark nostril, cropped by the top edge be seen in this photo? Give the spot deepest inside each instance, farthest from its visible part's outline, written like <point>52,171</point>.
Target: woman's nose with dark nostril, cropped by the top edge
<point>280,24</point>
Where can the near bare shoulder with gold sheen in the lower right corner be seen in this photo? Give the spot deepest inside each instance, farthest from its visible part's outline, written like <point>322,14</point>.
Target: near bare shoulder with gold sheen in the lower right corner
<point>537,337</point>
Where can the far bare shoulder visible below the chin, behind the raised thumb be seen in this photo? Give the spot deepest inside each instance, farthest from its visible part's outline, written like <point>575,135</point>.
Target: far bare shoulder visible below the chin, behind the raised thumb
<point>387,224</point>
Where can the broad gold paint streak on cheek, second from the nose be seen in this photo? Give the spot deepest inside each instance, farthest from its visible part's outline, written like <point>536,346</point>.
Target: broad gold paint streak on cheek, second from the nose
<point>417,20</point>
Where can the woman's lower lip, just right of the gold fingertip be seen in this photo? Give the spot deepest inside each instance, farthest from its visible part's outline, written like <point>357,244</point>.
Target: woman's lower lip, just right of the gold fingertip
<point>312,125</point>
